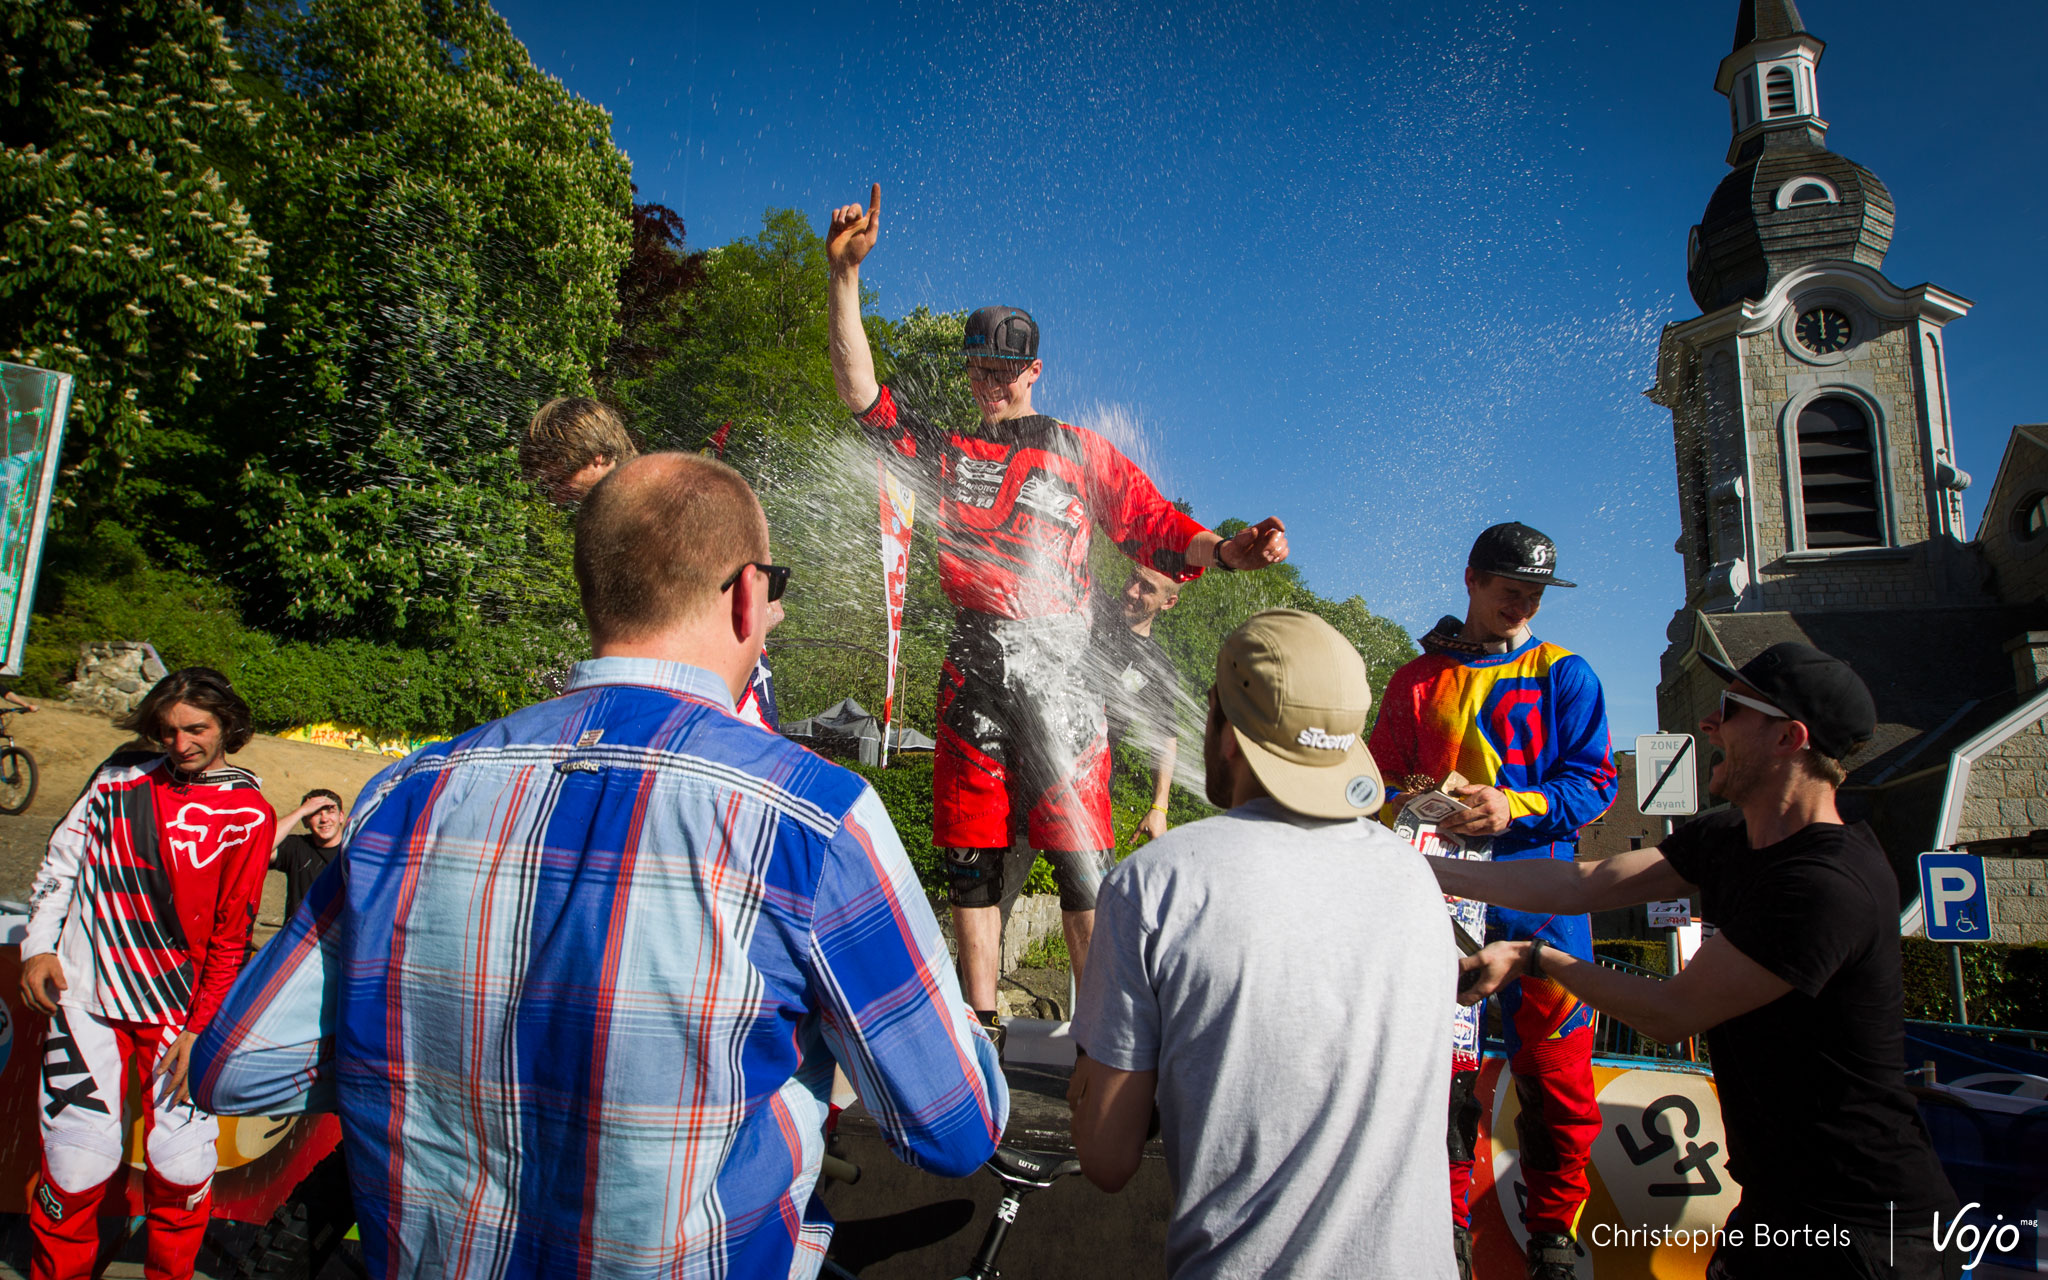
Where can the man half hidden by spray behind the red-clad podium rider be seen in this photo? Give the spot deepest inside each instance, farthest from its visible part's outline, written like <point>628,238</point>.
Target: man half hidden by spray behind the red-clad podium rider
<point>1140,685</point>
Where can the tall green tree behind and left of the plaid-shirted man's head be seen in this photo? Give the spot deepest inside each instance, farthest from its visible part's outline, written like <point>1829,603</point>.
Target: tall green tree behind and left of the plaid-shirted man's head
<point>452,226</point>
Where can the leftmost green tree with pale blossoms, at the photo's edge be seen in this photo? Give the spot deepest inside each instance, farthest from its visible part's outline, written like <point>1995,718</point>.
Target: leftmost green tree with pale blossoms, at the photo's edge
<point>126,255</point>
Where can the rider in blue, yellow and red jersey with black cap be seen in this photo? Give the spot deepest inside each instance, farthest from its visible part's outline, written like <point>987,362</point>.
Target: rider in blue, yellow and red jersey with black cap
<point>1527,726</point>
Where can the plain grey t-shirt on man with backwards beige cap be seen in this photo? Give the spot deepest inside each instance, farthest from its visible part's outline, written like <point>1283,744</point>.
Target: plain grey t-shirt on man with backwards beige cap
<point>1293,982</point>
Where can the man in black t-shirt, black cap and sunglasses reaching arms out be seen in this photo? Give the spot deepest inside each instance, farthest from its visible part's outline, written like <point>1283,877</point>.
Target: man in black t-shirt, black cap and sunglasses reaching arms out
<point>1797,992</point>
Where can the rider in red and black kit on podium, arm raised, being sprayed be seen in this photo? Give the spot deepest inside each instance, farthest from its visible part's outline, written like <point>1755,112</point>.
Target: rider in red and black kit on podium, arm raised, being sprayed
<point>1021,738</point>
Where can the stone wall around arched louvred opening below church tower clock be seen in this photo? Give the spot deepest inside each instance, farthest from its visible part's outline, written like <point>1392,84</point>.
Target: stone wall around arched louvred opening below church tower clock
<point>1883,370</point>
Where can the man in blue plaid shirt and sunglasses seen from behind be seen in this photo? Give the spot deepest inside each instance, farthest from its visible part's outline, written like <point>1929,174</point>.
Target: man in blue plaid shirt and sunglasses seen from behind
<point>583,976</point>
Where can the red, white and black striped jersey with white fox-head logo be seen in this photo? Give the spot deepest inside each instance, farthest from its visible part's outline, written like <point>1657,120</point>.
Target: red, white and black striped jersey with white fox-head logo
<point>151,890</point>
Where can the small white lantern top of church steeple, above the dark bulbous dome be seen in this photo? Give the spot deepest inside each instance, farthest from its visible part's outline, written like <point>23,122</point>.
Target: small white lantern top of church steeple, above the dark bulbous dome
<point>1773,81</point>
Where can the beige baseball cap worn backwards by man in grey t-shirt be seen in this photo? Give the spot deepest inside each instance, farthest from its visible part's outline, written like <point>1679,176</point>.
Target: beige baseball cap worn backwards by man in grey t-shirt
<point>1297,699</point>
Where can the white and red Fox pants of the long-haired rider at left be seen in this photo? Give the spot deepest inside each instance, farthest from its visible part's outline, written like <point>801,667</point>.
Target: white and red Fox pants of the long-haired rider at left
<point>89,1066</point>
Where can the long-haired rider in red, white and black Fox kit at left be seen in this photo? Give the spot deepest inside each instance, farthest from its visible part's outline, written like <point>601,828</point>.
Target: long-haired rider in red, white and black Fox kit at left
<point>138,925</point>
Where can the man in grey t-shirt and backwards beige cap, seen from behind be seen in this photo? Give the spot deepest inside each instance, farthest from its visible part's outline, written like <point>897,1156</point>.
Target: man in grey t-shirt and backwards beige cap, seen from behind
<point>1279,982</point>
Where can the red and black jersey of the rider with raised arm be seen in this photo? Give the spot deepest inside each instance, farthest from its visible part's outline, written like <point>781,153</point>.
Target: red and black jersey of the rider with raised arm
<point>1017,503</point>
